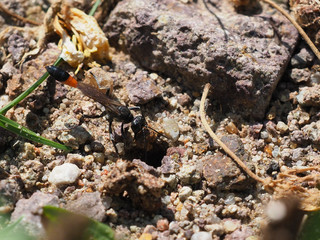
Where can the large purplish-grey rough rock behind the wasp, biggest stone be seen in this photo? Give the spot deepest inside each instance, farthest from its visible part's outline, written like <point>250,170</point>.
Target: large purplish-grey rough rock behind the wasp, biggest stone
<point>243,56</point>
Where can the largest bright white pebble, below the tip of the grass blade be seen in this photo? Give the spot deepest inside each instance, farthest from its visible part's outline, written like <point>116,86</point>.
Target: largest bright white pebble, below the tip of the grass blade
<point>66,173</point>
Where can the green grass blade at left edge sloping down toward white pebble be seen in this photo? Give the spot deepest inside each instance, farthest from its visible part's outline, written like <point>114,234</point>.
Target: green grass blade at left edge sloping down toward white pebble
<point>16,128</point>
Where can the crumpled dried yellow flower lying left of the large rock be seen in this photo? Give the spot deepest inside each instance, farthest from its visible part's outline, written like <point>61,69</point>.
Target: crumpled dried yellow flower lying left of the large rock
<point>82,40</point>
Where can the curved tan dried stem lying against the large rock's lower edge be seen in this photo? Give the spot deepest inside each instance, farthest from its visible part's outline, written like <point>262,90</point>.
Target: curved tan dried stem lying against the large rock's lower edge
<point>221,144</point>
